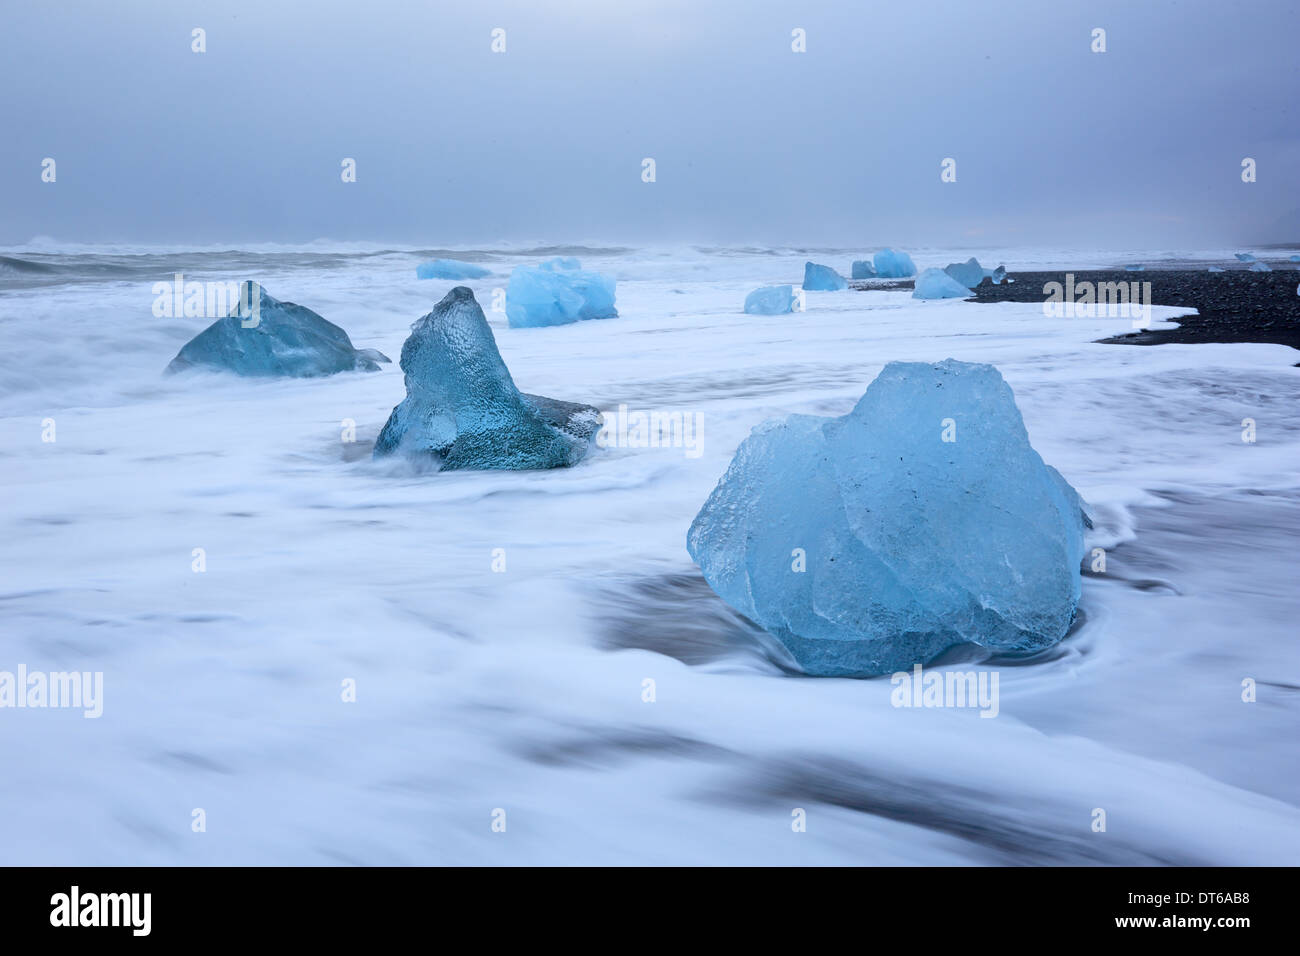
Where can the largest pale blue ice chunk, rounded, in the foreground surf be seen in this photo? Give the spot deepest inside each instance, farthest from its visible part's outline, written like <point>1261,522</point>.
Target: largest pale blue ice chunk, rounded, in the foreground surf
<point>911,544</point>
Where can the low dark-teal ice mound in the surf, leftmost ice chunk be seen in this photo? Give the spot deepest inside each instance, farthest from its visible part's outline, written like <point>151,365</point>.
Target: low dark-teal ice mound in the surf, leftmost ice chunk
<point>280,339</point>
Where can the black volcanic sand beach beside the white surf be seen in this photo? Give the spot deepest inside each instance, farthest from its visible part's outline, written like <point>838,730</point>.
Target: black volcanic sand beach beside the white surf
<point>1234,306</point>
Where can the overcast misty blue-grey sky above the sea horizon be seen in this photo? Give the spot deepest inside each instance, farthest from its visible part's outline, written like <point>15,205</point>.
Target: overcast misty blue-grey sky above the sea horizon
<point>1139,146</point>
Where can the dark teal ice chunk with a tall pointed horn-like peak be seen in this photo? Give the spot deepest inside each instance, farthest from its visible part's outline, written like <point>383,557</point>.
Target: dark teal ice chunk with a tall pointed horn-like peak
<point>462,408</point>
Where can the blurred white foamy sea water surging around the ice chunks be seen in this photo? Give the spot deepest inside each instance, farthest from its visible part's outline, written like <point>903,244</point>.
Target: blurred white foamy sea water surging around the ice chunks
<point>518,694</point>
